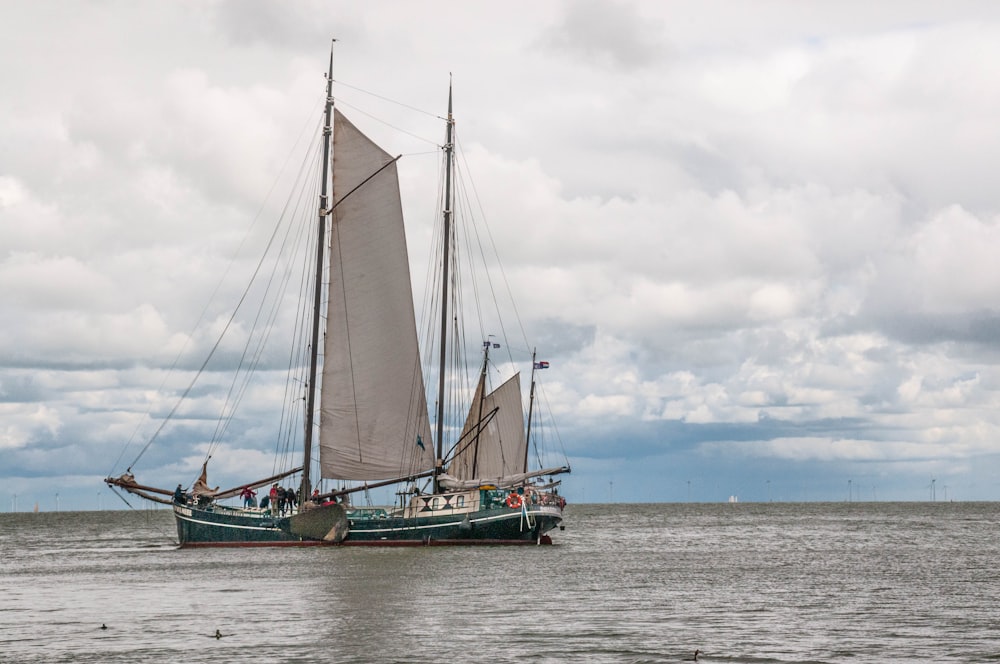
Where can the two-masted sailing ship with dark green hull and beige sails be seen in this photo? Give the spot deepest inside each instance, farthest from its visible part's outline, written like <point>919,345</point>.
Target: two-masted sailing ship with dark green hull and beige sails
<point>365,394</point>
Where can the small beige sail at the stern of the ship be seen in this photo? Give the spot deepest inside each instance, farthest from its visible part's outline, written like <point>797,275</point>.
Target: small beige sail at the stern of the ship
<point>501,446</point>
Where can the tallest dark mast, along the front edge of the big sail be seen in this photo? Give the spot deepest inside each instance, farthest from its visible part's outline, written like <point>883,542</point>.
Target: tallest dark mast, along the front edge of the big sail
<point>324,210</point>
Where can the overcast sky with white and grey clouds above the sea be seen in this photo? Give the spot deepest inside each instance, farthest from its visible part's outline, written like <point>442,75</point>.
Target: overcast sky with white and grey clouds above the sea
<point>758,242</point>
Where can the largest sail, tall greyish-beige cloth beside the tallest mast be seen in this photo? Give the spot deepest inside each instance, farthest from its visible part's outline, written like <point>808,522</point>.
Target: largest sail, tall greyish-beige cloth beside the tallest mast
<point>373,412</point>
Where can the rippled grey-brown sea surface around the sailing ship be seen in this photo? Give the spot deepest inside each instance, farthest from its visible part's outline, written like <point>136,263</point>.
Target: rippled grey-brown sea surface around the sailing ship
<point>776,582</point>
